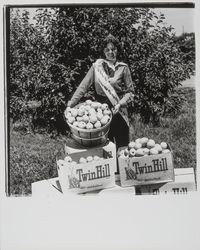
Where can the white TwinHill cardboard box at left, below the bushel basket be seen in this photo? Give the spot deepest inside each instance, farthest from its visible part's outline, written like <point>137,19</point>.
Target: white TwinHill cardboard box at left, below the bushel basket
<point>90,176</point>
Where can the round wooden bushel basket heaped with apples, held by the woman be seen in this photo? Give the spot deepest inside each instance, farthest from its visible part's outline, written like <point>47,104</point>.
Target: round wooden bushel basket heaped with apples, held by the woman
<point>89,122</point>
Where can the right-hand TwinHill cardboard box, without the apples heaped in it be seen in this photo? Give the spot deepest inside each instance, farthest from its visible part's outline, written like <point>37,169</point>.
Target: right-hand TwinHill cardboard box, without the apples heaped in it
<point>146,169</point>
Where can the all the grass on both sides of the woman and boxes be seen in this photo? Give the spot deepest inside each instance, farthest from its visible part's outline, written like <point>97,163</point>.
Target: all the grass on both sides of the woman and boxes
<point>33,156</point>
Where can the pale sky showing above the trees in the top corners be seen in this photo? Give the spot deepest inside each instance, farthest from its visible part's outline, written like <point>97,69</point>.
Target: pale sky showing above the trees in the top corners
<point>182,19</point>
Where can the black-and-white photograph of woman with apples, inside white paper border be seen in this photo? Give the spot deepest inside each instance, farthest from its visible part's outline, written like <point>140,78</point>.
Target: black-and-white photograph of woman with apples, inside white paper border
<point>100,99</point>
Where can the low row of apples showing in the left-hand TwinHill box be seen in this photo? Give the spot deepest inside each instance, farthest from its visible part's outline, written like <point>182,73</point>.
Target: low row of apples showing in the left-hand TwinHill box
<point>68,160</point>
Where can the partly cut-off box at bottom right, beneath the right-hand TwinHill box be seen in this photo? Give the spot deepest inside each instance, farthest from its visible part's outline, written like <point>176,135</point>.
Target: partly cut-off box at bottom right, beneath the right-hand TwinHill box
<point>183,184</point>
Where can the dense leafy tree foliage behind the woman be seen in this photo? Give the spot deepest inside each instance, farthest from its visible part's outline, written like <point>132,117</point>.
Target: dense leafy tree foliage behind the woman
<point>49,59</point>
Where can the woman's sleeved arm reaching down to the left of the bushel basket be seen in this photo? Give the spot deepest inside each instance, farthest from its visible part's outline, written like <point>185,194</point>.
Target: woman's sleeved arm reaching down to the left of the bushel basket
<point>82,88</point>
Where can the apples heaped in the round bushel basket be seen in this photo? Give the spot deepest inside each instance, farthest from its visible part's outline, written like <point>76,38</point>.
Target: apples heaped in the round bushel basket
<point>89,115</point>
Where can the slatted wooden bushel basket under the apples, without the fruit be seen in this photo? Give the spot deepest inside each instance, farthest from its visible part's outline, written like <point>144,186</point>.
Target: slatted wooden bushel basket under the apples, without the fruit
<point>90,137</point>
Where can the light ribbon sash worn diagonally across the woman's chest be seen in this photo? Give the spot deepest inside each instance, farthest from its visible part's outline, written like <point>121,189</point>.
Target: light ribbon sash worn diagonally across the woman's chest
<point>110,92</point>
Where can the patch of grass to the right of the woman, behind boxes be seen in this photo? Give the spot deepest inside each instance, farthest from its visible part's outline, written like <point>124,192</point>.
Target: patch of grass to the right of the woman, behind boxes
<point>179,132</point>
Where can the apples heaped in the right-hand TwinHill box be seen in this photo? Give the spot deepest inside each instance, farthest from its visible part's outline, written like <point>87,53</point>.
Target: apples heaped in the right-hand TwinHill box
<point>143,147</point>
